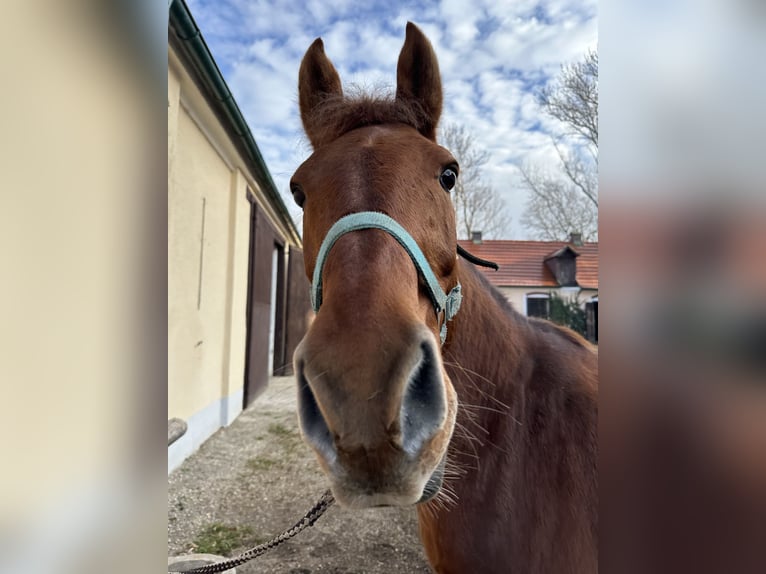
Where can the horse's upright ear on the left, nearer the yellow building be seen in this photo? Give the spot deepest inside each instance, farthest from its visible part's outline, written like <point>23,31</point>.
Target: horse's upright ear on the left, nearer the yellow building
<point>317,80</point>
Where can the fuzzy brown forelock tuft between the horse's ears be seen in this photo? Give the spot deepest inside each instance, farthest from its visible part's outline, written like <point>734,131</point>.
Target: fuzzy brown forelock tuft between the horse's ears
<point>337,115</point>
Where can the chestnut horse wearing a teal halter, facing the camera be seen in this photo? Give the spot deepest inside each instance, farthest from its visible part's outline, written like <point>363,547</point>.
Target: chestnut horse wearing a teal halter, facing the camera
<point>491,430</point>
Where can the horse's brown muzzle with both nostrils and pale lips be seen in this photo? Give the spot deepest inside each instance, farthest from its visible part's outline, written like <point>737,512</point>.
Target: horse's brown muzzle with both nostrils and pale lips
<point>386,447</point>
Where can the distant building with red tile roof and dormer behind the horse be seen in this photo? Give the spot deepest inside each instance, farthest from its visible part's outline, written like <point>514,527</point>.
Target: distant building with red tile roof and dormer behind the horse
<point>530,271</point>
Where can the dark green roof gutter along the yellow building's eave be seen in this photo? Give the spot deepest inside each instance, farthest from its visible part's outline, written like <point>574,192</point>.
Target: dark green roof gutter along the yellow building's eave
<point>185,28</point>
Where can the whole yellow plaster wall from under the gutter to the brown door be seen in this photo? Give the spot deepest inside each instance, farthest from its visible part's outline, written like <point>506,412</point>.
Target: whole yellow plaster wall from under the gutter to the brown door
<point>207,276</point>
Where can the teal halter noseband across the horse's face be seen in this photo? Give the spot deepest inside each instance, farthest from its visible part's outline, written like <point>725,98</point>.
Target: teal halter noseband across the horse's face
<point>449,303</point>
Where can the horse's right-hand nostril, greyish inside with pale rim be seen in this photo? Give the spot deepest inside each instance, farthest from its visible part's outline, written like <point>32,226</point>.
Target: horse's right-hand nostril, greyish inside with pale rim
<point>424,406</point>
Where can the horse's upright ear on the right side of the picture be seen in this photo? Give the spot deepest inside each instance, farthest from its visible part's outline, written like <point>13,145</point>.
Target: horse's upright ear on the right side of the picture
<point>418,79</point>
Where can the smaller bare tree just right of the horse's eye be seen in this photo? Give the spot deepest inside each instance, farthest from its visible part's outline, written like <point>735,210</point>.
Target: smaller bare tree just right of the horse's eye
<point>478,206</point>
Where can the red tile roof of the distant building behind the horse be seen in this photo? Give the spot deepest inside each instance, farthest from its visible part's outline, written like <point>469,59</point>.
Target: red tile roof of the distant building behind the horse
<point>522,262</point>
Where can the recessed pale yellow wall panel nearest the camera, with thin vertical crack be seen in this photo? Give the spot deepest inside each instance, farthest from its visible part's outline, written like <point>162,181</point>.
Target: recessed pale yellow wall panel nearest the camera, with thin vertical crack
<point>198,244</point>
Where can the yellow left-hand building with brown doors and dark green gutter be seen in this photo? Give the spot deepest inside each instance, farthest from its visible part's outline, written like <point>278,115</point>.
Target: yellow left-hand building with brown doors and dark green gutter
<point>238,298</point>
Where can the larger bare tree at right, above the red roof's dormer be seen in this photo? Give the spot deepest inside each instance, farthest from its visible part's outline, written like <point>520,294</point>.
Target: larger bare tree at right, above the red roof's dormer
<point>567,202</point>
